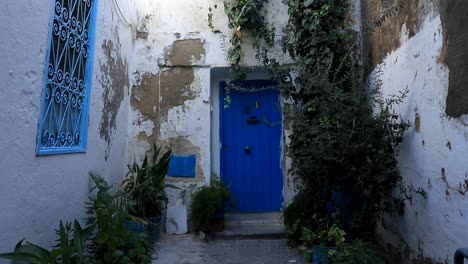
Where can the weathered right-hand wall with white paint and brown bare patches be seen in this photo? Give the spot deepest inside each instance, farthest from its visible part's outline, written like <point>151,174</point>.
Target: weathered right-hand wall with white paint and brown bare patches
<point>423,49</point>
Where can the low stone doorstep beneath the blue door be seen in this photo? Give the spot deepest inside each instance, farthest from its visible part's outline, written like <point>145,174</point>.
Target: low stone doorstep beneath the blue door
<point>257,225</point>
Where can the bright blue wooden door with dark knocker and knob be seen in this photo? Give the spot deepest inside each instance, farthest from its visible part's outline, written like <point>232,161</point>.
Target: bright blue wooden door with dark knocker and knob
<point>251,147</point>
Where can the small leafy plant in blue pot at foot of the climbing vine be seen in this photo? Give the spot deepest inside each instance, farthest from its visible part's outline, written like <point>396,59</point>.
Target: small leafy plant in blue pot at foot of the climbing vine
<point>323,241</point>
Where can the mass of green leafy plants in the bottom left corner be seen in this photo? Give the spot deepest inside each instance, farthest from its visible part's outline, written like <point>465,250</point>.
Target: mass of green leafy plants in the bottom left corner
<point>104,239</point>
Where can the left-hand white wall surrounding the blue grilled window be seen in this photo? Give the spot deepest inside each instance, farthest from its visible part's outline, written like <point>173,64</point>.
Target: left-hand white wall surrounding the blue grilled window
<point>36,192</point>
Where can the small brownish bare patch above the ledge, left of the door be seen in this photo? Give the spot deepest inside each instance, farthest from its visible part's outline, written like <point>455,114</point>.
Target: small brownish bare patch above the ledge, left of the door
<point>184,52</point>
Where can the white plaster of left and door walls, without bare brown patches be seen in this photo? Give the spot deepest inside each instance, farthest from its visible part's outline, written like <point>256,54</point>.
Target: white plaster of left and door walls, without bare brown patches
<point>36,192</point>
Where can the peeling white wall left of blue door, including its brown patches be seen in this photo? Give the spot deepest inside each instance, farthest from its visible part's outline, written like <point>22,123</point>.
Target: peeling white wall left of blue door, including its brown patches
<point>171,96</point>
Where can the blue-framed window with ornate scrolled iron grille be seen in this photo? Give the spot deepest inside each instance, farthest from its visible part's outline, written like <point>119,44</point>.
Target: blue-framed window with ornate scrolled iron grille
<point>63,119</point>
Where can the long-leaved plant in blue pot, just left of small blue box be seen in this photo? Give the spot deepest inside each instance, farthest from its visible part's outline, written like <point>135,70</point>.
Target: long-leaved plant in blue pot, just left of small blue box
<point>144,195</point>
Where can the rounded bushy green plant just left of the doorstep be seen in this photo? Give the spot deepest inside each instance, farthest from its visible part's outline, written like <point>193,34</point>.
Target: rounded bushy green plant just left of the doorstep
<point>207,202</point>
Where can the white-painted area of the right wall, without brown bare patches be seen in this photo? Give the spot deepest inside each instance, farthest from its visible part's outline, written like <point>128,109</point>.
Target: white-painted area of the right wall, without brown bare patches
<point>434,227</point>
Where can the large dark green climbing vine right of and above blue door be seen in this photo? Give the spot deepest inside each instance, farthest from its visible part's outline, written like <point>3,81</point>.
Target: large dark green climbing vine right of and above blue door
<point>345,137</point>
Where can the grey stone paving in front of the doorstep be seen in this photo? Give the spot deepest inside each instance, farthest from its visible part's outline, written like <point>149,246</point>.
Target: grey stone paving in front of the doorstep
<point>189,249</point>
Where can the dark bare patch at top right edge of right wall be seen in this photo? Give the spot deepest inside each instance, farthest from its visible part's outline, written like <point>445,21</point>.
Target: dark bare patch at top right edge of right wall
<point>455,55</point>
